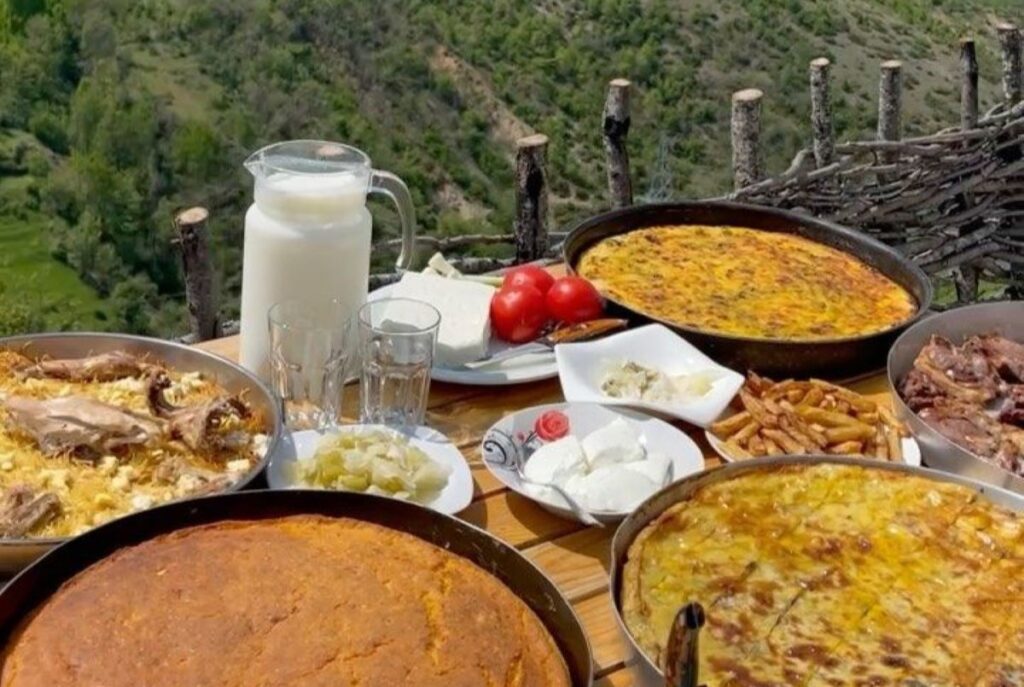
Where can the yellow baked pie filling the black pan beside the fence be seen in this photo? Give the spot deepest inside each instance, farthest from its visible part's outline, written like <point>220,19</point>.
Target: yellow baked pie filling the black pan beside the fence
<point>741,282</point>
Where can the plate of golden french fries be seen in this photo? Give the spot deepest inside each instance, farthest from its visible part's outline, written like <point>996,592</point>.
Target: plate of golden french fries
<point>815,417</point>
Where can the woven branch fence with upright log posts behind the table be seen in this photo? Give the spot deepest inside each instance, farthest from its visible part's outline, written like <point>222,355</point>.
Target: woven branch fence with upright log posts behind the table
<point>953,202</point>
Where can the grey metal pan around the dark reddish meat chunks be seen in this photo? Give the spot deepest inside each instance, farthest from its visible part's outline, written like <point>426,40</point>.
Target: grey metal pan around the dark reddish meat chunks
<point>958,325</point>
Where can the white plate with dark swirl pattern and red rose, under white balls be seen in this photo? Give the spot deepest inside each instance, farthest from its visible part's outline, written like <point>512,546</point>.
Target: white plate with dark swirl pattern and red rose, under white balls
<point>656,435</point>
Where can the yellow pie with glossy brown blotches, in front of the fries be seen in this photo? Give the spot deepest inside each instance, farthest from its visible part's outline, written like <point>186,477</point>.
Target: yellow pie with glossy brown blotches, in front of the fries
<point>835,575</point>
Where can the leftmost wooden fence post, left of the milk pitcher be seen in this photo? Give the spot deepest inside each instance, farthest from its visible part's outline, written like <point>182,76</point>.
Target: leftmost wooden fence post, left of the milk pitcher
<point>198,267</point>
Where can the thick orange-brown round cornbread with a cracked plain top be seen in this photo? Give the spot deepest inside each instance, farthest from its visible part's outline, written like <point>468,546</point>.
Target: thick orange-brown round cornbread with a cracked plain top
<point>300,603</point>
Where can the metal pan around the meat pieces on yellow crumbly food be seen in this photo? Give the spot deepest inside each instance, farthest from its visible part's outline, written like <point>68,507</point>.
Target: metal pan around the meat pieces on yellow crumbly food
<point>17,553</point>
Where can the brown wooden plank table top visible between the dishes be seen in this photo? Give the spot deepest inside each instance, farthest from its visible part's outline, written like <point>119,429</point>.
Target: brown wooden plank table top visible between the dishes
<point>574,556</point>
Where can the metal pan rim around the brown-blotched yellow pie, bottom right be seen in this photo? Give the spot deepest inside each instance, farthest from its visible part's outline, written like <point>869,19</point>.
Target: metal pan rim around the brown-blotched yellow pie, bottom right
<point>646,672</point>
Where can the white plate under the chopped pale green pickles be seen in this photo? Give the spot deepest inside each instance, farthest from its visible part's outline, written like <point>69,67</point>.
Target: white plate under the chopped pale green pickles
<point>456,496</point>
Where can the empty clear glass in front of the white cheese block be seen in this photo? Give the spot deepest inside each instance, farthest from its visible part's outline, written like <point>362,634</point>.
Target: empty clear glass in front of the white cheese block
<point>397,347</point>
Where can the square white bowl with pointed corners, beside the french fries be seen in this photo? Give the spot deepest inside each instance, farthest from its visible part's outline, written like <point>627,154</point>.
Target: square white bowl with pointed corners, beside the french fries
<point>581,367</point>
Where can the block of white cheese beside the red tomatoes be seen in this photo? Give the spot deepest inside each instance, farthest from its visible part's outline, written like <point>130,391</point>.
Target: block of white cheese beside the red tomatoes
<point>465,309</point>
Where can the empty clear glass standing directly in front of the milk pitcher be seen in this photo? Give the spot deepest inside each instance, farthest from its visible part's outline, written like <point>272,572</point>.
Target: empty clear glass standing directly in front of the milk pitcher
<point>311,345</point>
